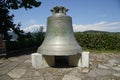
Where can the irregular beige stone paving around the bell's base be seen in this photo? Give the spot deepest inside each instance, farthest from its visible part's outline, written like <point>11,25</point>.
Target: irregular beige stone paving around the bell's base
<point>102,67</point>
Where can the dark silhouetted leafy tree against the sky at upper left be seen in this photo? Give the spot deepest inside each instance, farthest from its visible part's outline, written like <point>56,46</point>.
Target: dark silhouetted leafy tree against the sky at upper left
<point>6,20</point>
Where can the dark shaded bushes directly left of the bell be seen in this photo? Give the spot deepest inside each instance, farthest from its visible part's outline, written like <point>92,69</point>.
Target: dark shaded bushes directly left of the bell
<point>29,40</point>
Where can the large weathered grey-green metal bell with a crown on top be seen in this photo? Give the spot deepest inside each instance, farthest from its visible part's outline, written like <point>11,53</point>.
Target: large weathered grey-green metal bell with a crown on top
<point>59,39</point>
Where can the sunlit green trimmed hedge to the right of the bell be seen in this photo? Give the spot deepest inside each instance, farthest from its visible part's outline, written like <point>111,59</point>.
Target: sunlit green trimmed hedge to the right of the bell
<point>98,41</point>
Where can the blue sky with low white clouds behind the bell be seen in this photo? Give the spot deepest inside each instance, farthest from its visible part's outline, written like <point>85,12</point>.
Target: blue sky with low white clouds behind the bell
<point>101,15</point>
